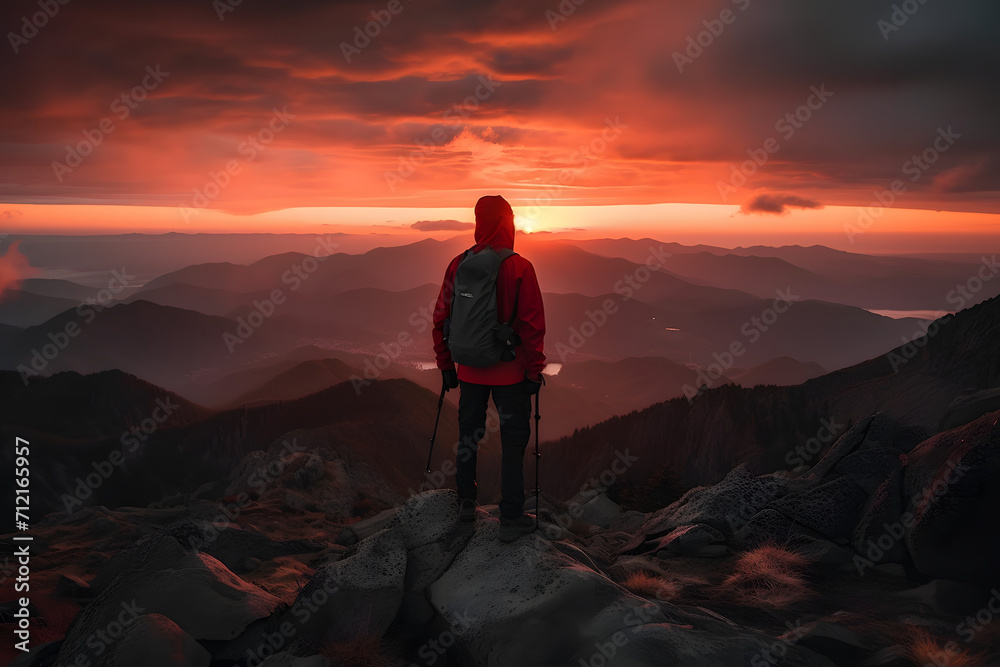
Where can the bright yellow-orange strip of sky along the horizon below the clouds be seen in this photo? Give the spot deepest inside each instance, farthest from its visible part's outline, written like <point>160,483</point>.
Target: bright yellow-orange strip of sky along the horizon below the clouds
<point>843,227</point>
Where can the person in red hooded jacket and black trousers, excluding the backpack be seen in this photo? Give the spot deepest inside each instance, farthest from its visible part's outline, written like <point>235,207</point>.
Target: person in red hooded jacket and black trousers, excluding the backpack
<point>511,383</point>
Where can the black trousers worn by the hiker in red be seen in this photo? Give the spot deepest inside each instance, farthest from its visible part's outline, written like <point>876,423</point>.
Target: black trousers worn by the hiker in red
<point>513,405</point>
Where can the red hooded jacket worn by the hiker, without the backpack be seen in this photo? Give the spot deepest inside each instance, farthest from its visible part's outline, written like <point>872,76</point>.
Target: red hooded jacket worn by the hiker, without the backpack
<point>495,227</point>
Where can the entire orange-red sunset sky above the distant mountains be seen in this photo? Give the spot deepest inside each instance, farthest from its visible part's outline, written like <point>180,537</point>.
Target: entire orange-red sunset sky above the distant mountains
<point>258,116</point>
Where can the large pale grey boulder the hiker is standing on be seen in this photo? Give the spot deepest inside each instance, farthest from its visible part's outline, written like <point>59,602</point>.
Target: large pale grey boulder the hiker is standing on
<point>529,603</point>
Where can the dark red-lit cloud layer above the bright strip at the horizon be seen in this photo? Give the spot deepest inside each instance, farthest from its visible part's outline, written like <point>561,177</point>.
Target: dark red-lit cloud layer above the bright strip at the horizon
<point>892,91</point>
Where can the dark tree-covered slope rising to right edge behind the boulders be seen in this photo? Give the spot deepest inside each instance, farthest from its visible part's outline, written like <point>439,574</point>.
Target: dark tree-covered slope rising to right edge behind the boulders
<point>702,440</point>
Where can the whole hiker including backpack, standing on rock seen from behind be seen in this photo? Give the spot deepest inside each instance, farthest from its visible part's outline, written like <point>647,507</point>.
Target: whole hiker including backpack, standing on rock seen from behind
<point>490,323</point>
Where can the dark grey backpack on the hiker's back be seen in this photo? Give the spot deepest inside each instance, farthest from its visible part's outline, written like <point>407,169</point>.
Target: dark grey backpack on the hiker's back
<point>473,333</point>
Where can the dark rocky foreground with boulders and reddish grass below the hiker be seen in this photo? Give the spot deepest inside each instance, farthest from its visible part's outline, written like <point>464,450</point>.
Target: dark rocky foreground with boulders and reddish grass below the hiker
<point>882,552</point>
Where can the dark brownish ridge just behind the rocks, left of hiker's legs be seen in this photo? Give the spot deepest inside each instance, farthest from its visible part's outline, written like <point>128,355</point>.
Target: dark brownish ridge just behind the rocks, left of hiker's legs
<point>181,458</point>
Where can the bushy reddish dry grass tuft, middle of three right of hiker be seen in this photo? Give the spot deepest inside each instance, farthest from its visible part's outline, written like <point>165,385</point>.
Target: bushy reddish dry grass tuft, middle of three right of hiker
<point>771,577</point>
